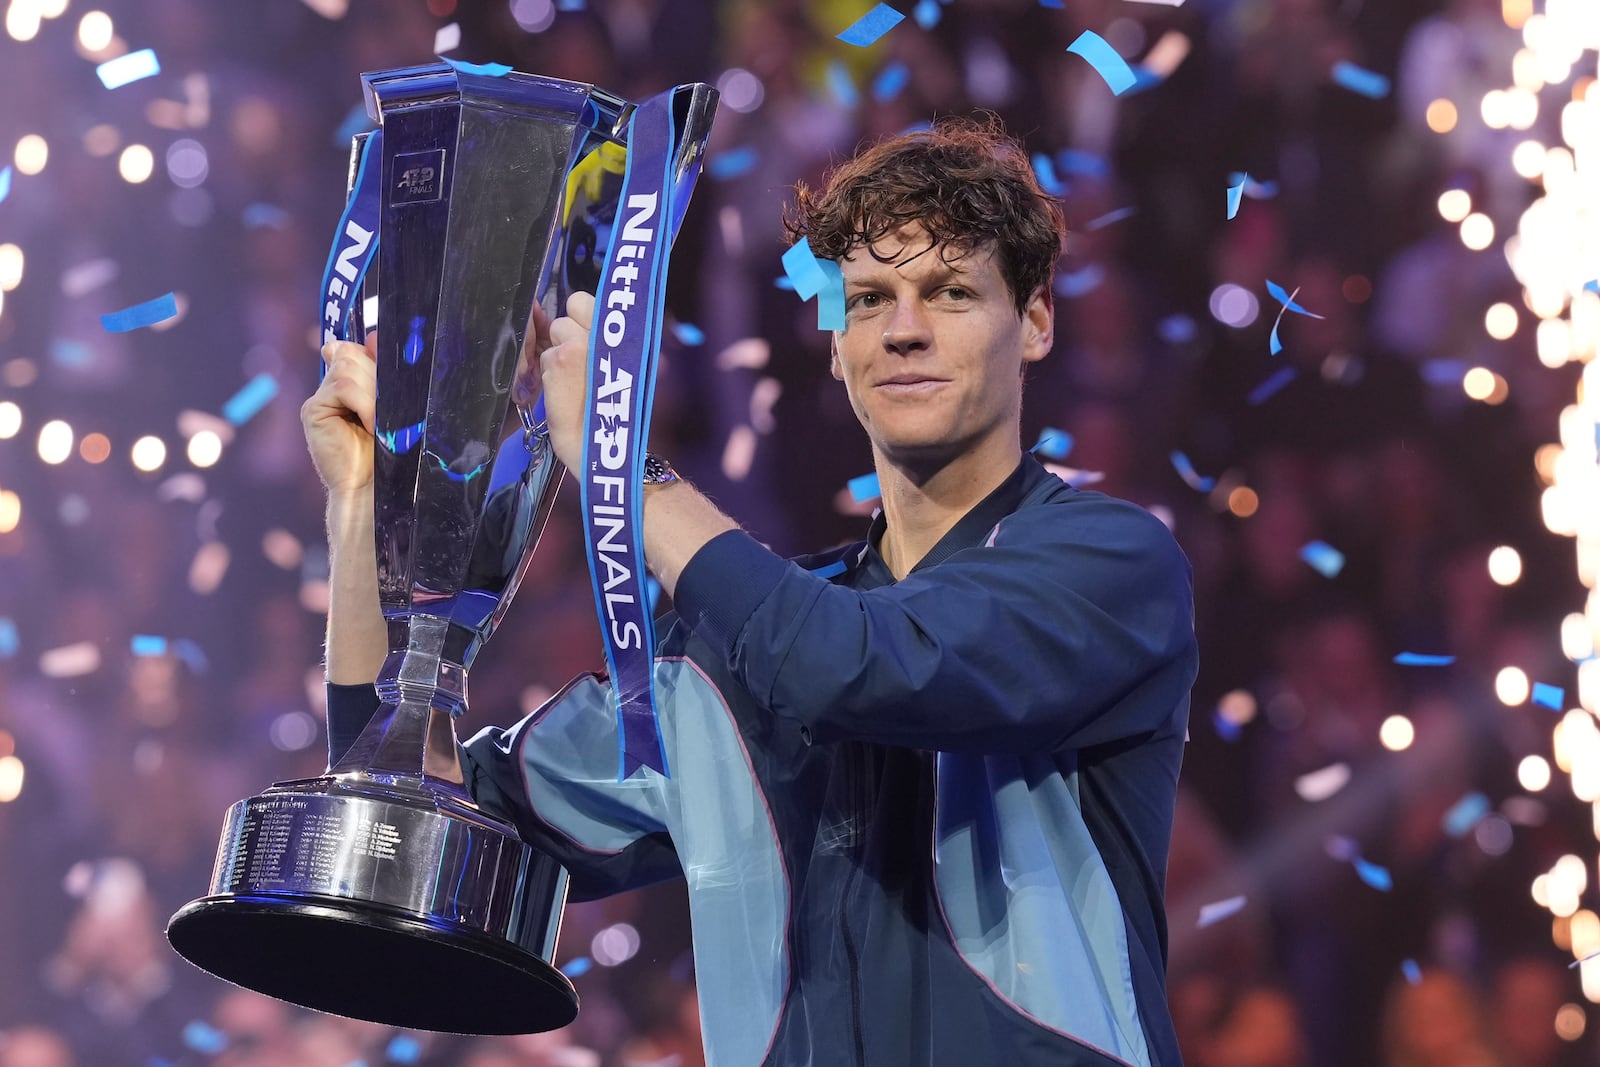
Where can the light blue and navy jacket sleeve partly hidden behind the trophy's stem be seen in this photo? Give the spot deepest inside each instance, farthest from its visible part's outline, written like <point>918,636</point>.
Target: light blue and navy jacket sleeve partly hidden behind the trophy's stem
<point>553,777</point>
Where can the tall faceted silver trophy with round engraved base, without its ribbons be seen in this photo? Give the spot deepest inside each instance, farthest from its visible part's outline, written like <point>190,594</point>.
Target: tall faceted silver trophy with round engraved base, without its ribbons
<point>380,890</point>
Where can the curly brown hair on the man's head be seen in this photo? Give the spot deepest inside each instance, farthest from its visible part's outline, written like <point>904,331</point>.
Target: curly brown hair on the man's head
<point>966,182</point>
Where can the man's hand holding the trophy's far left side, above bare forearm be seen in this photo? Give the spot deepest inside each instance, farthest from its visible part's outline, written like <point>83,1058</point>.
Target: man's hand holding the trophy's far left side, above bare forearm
<point>340,417</point>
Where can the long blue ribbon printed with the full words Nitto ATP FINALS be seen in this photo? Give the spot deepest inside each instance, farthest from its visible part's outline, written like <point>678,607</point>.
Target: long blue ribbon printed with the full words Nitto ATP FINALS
<point>623,346</point>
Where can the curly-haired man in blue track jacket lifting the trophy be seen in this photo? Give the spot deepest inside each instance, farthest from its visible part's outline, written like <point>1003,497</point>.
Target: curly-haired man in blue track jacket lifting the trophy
<point>922,788</point>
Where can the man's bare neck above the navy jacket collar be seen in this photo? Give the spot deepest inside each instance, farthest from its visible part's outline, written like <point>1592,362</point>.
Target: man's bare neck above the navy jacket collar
<point>921,505</point>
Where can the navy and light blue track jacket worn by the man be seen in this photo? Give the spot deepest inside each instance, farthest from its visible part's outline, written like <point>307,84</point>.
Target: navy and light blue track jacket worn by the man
<point>922,823</point>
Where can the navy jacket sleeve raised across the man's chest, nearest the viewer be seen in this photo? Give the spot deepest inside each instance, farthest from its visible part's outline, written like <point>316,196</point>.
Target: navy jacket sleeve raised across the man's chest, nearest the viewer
<point>1071,626</point>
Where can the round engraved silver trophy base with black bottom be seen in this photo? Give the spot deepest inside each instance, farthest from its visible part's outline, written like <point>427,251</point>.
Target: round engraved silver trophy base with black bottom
<point>383,901</point>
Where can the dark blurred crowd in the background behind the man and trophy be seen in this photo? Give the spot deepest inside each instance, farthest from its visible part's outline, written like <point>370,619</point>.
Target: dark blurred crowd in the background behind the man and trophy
<point>1364,442</point>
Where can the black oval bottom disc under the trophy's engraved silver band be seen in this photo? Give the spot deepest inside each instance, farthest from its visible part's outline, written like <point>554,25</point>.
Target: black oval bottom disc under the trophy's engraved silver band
<point>330,954</point>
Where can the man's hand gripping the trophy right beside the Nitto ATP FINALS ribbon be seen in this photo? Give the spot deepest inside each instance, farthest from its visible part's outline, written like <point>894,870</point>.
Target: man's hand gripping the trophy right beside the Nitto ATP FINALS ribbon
<point>556,366</point>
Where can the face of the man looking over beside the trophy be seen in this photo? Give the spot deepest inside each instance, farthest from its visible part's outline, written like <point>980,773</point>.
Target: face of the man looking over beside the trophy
<point>932,353</point>
